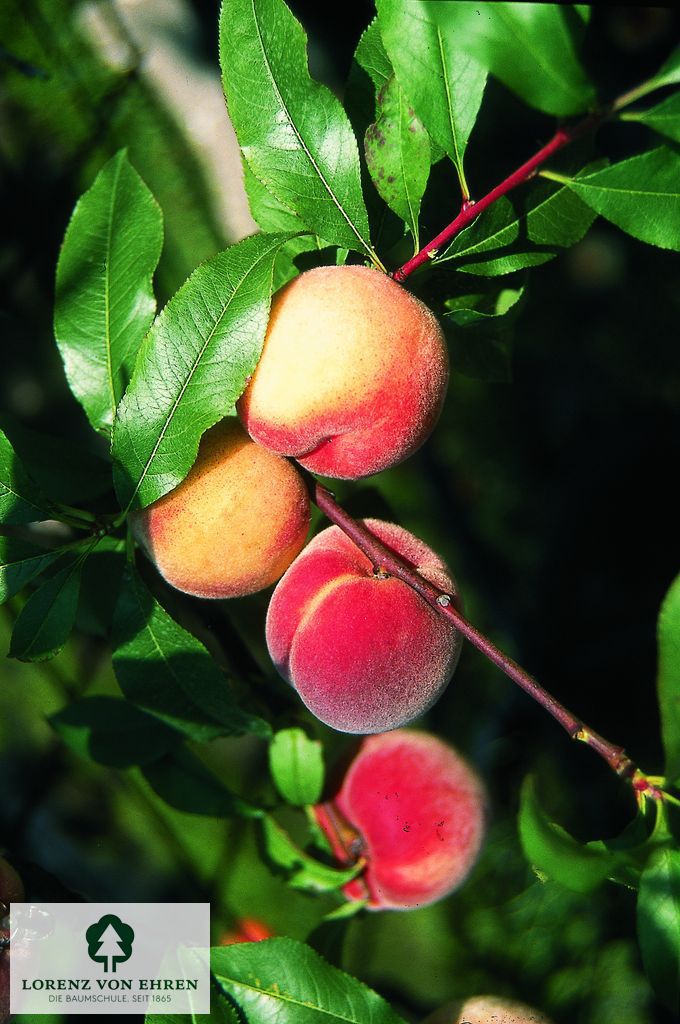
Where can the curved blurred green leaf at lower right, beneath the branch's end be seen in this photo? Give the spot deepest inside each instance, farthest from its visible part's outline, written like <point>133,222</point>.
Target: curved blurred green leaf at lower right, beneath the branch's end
<point>550,849</point>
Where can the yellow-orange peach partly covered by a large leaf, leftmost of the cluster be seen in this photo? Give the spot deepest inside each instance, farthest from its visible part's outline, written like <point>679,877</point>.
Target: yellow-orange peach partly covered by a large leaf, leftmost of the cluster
<point>234,526</point>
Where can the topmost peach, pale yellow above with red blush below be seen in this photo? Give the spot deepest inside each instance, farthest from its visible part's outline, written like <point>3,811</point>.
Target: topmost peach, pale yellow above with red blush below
<point>353,375</point>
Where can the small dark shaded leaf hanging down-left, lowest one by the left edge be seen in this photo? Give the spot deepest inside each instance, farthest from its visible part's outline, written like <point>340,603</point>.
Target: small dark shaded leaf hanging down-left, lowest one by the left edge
<point>45,623</point>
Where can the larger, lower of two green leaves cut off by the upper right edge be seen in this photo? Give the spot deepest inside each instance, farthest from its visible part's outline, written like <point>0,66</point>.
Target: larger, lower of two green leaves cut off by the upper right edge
<point>642,196</point>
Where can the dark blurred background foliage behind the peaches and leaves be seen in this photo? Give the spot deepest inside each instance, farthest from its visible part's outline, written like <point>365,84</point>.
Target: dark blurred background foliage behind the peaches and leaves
<point>551,497</point>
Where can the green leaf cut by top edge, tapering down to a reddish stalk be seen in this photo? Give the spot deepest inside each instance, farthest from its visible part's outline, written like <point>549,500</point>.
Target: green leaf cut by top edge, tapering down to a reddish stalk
<point>444,83</point>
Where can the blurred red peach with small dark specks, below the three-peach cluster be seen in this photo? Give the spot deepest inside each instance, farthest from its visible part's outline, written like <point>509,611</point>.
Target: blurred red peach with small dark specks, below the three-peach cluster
<point>415,810</point>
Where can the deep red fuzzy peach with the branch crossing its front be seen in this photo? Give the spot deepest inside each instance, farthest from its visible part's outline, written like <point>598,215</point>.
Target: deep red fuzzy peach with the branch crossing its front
<point>365,653</point>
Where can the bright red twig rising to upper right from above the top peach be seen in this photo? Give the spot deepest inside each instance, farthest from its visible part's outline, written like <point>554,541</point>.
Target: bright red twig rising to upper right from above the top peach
<point>472,210</point>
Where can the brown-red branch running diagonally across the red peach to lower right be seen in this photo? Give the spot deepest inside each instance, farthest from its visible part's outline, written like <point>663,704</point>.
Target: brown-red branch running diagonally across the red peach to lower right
<point>387,561</point>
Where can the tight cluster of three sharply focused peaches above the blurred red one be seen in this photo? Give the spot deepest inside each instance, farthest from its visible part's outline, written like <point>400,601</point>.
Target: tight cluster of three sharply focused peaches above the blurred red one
<point>352,380</point>
